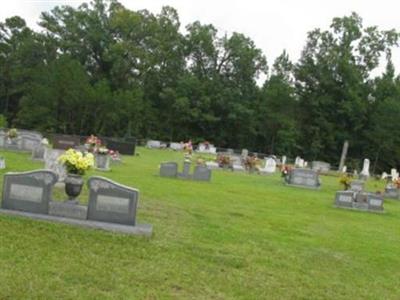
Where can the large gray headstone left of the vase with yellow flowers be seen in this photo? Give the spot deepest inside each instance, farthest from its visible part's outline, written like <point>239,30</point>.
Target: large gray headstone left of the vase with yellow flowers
<point>28,191</point>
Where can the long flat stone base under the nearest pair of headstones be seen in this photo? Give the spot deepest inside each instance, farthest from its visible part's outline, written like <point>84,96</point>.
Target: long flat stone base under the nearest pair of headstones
<point>139,229</point>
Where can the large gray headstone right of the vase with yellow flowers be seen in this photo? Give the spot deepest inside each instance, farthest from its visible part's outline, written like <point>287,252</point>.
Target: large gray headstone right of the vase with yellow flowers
<point>111,202</point>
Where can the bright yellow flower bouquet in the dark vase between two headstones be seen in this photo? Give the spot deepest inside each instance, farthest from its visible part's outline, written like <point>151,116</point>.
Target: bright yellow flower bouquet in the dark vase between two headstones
<point>76,162</point>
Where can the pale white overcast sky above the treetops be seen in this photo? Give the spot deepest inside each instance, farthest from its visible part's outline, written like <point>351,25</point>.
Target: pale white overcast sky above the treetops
<point>273,25</point>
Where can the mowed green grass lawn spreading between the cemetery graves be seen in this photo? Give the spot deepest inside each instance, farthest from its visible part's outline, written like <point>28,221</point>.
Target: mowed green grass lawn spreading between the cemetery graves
<point>239,237</point>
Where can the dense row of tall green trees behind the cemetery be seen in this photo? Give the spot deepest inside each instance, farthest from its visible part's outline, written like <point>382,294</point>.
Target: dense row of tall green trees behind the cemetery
<point>104,69</point>
